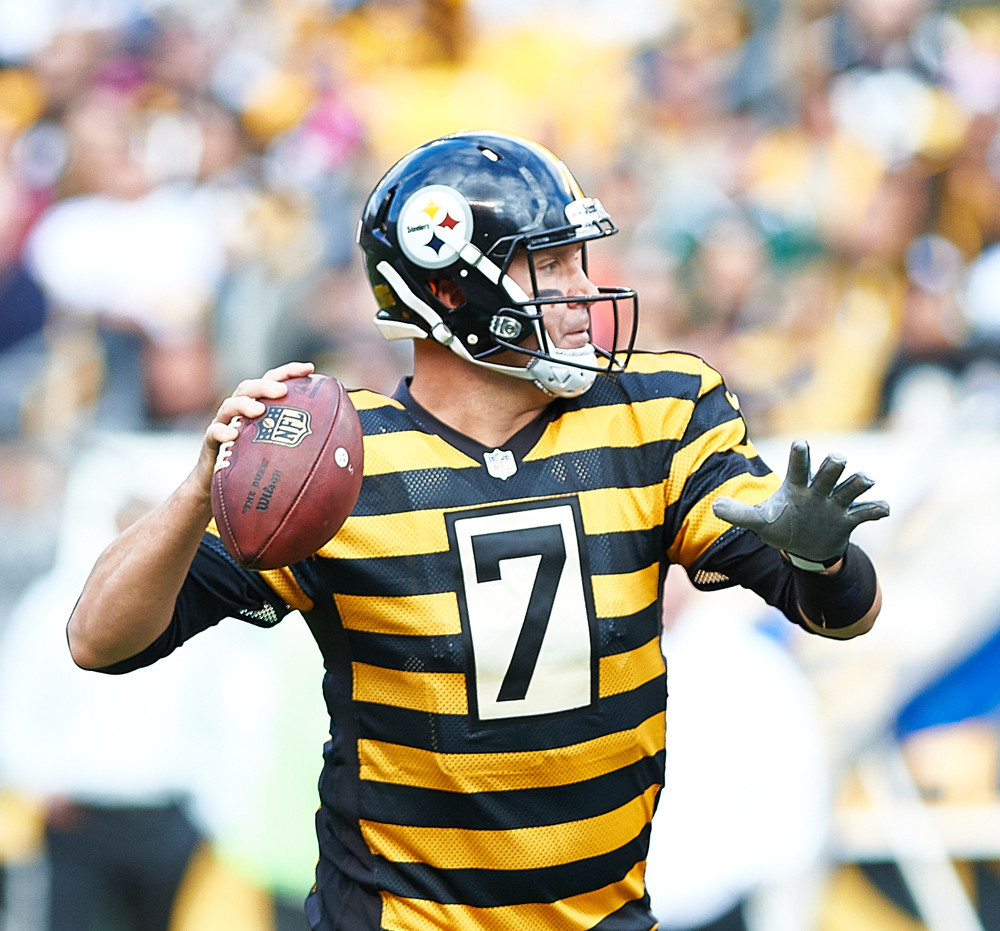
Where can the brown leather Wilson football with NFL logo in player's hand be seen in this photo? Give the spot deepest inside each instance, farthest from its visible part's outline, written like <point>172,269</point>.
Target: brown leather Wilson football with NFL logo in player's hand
<point>290,479</point>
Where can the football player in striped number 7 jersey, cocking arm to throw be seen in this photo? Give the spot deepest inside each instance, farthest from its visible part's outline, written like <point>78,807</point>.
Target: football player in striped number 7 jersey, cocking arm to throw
<point>489,615</point>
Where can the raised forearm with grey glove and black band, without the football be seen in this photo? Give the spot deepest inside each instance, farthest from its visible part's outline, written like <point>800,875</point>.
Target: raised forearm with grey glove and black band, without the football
<point>810,520</point>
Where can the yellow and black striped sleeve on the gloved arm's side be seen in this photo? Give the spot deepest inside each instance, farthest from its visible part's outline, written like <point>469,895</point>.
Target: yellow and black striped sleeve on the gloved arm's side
<point>714,457</point>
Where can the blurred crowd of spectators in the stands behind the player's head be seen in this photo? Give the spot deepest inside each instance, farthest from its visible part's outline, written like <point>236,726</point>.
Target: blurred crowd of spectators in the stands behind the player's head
<point>808,193</point>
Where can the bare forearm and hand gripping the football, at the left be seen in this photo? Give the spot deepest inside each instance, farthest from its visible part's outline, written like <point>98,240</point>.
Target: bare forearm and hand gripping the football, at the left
<point>128,599</point>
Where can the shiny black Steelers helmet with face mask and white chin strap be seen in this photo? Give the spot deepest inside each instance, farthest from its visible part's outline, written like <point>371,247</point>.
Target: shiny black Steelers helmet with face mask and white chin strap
<point>460,208</point>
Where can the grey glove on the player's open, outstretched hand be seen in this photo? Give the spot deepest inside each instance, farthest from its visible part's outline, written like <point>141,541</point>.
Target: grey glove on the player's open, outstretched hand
<point>812,520</point>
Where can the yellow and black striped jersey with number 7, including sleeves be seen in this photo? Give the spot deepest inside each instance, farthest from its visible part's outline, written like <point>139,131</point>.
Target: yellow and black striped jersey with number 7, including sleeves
<point>490,624</point>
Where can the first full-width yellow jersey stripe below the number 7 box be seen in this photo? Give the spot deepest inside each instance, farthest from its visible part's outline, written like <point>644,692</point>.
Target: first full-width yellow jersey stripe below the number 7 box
<point>499,772</point>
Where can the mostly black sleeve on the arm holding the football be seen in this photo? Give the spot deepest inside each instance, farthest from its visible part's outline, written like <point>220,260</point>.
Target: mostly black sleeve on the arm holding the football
<point>216,588</point>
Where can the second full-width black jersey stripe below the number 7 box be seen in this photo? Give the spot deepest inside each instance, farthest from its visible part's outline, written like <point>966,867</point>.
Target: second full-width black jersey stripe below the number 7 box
<point>522,808</point>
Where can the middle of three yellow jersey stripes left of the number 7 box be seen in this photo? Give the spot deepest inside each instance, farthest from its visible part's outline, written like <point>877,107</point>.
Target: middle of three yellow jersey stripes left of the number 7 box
<point>434,615</point>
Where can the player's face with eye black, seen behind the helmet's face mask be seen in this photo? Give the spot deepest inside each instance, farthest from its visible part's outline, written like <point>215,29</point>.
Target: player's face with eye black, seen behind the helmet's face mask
<point>559,270</point>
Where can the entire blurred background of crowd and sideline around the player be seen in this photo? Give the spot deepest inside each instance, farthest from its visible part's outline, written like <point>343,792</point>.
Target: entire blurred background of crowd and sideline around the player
<point>809,197</point>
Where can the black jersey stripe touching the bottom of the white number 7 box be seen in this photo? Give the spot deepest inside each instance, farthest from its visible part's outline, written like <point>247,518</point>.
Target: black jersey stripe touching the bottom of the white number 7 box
<point>448,733</point>
